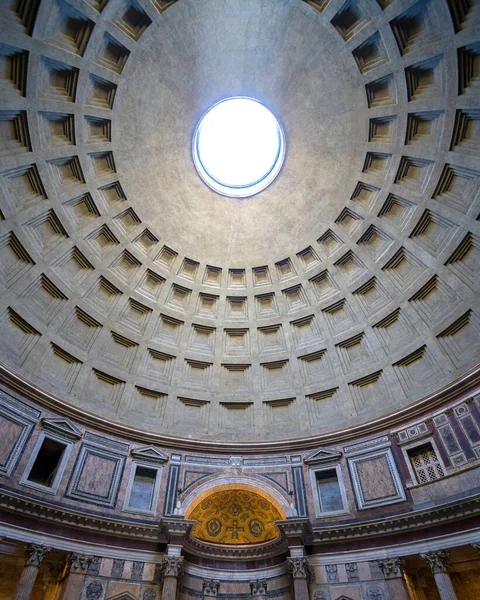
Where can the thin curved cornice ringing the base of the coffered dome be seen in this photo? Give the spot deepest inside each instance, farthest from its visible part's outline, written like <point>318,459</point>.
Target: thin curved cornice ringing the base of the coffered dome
<point>462,385</point>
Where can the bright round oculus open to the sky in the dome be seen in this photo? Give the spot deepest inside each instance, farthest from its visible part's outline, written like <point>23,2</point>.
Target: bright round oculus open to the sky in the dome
<point>238,147</point>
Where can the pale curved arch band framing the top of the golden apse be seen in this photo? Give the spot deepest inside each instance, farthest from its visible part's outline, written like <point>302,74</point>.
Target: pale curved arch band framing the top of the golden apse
<point>217,484</point>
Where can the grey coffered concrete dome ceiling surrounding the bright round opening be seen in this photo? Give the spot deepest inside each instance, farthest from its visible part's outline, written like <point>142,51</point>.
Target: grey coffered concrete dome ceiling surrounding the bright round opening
<point>343,292</point>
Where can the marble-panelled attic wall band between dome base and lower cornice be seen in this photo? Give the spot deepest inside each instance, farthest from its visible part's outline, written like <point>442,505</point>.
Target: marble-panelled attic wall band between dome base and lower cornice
<point>376,476</point>
